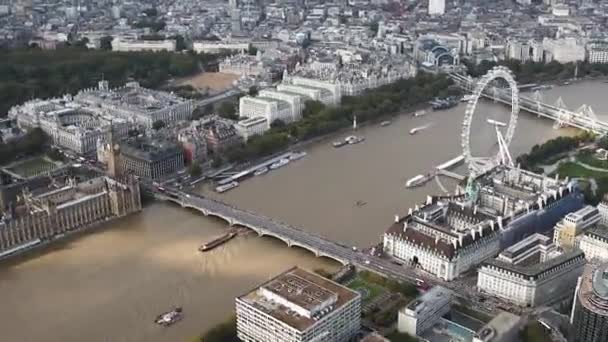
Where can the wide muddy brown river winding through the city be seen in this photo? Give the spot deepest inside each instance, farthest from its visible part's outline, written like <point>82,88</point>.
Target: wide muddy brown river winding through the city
<point>110,285</point>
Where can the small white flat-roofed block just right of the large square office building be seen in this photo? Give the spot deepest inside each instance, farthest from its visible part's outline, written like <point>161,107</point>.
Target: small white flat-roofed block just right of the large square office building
<point>423,312</point>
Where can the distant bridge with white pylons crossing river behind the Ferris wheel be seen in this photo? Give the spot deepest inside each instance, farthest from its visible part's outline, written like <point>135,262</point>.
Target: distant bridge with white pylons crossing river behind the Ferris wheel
<point>585,120</point>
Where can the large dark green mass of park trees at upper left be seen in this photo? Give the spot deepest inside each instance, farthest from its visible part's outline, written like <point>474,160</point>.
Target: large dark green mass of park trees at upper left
<point>32,73</point>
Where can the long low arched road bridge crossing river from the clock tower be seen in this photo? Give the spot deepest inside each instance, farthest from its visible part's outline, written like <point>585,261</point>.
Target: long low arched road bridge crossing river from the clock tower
<point>292,236</point>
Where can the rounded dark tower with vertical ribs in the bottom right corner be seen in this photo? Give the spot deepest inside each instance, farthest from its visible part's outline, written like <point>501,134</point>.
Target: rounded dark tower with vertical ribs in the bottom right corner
<point>589,316</point>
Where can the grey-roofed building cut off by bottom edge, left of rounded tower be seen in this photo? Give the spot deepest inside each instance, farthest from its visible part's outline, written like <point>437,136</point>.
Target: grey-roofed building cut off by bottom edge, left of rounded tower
<point>505,327</point>
